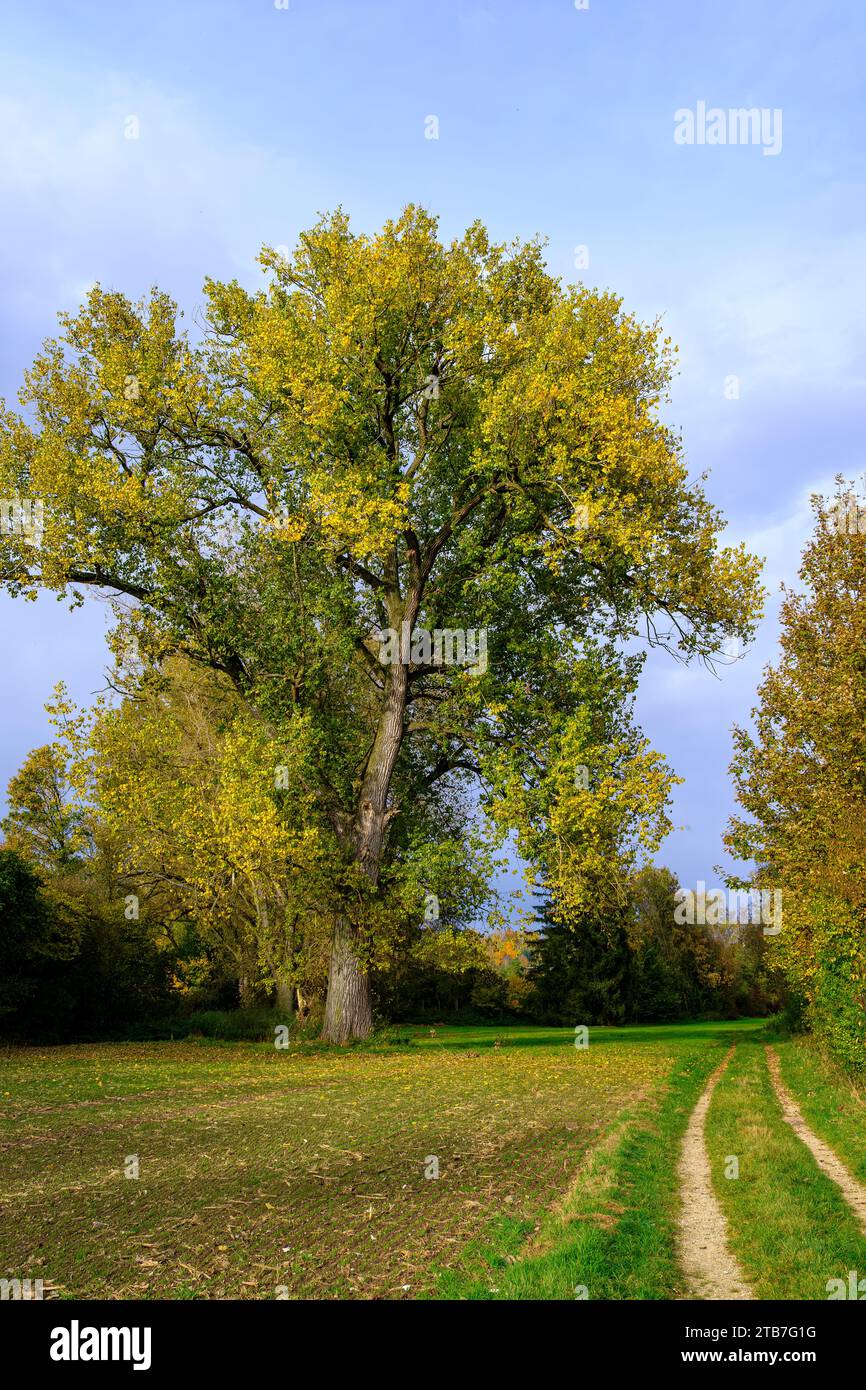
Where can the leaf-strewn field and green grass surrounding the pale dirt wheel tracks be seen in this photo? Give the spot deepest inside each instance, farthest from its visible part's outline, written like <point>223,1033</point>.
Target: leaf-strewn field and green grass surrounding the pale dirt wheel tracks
<point>298,1174</point>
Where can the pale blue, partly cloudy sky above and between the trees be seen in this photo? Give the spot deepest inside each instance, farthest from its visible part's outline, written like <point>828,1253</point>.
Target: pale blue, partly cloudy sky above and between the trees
<point>553,120</point>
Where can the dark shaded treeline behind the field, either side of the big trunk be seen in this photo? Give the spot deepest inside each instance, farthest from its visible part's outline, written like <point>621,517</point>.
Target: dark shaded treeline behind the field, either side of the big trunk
<point>77,964</point>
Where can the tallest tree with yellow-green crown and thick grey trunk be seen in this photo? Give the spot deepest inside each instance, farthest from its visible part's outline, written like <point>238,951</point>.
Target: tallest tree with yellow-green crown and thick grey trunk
<point>395,436</point>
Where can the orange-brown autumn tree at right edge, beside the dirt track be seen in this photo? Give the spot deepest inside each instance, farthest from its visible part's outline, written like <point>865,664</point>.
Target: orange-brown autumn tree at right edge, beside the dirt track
<point>801,779</point>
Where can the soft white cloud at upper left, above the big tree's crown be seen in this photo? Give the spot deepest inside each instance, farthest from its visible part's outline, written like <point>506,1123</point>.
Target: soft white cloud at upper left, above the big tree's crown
<point>85,202</point>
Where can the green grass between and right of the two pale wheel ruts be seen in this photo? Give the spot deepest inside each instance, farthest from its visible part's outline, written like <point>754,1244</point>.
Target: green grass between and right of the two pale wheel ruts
<point>789,1224</point>
